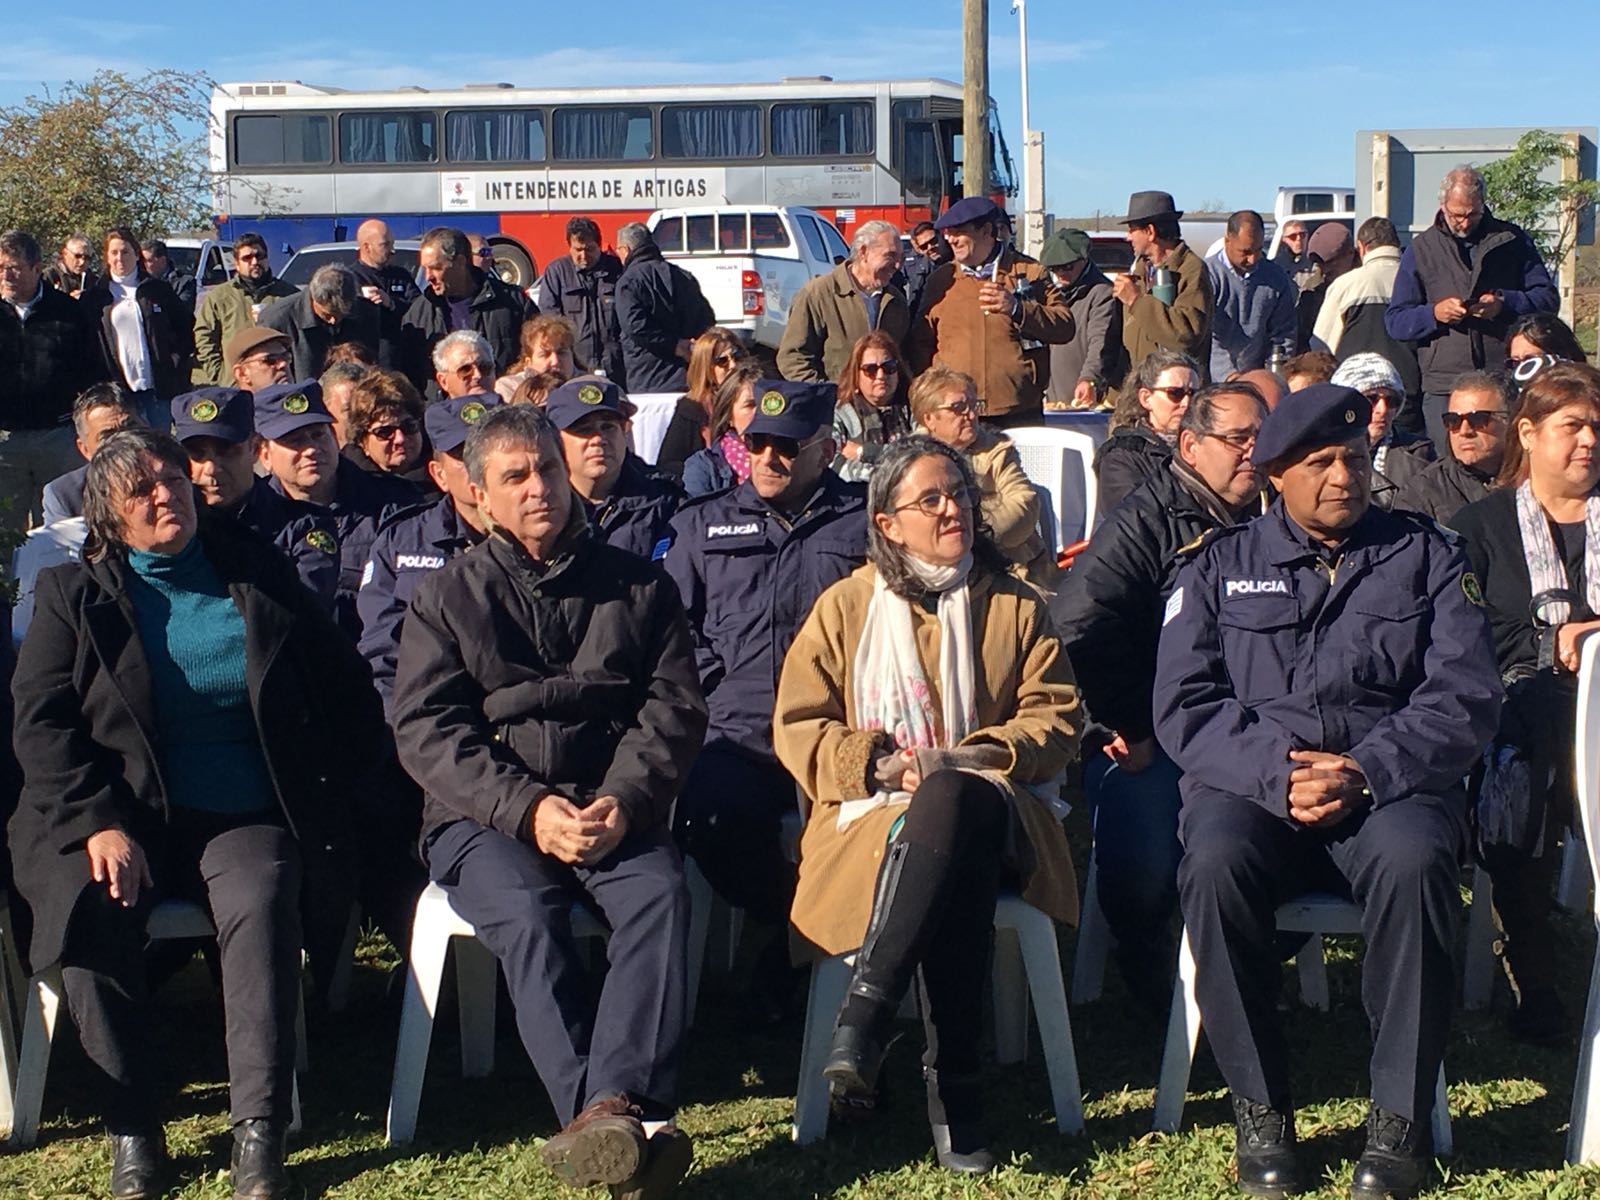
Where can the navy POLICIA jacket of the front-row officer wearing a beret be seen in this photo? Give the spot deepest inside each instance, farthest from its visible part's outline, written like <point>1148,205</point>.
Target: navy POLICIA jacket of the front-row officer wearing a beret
<point>1378,649</point>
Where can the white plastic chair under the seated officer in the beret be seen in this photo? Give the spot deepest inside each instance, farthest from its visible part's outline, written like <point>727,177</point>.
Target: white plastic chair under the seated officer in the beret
<point>1316,914</point>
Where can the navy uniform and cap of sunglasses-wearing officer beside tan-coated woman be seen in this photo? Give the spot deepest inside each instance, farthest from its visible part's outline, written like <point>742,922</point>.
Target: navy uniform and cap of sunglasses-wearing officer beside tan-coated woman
<point>750,577</point>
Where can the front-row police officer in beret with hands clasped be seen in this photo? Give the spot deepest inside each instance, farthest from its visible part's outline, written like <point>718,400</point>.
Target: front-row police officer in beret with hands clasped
<point>1326,679</point>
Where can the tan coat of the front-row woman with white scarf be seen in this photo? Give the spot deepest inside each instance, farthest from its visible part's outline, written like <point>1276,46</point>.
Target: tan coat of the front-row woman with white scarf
<point>1026,703</point>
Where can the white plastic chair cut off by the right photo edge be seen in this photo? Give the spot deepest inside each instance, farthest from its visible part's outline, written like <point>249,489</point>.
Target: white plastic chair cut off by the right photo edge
<point>1583,1140</point>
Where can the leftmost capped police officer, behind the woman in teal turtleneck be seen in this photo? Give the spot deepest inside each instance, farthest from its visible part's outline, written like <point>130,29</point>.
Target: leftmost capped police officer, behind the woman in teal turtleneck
<point>218,430</point>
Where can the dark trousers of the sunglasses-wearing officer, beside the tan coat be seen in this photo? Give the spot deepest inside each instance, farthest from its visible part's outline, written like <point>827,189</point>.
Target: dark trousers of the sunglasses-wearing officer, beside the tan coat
<point>730,822</point>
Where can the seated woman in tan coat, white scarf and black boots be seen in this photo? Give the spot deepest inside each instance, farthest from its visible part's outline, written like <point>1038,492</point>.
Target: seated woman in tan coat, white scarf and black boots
<point>927,711</point>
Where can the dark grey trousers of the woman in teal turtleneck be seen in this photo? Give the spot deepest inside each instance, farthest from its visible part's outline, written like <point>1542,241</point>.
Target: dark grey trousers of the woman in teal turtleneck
<point>247,874</point>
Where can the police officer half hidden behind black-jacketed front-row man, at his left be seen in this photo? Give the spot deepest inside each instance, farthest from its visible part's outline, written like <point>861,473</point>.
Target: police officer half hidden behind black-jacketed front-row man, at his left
<point>422,540</point>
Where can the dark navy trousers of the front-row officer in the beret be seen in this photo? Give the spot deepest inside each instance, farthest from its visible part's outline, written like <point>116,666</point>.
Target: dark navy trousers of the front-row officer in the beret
<point>1401,865</point>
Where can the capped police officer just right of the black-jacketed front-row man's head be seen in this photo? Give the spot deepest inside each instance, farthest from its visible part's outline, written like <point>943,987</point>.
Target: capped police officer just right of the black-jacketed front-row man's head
<point>626,500</point>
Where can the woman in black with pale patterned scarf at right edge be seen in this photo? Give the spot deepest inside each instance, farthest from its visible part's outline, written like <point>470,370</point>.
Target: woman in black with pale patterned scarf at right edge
<point>1535,553</point>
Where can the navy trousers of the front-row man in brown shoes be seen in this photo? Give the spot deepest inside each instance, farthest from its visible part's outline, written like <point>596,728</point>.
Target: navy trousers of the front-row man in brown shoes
<point>521,903</point>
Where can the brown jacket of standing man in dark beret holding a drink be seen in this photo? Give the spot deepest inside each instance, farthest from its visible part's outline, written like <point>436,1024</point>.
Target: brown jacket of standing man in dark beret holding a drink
<point>1007,358</point>
